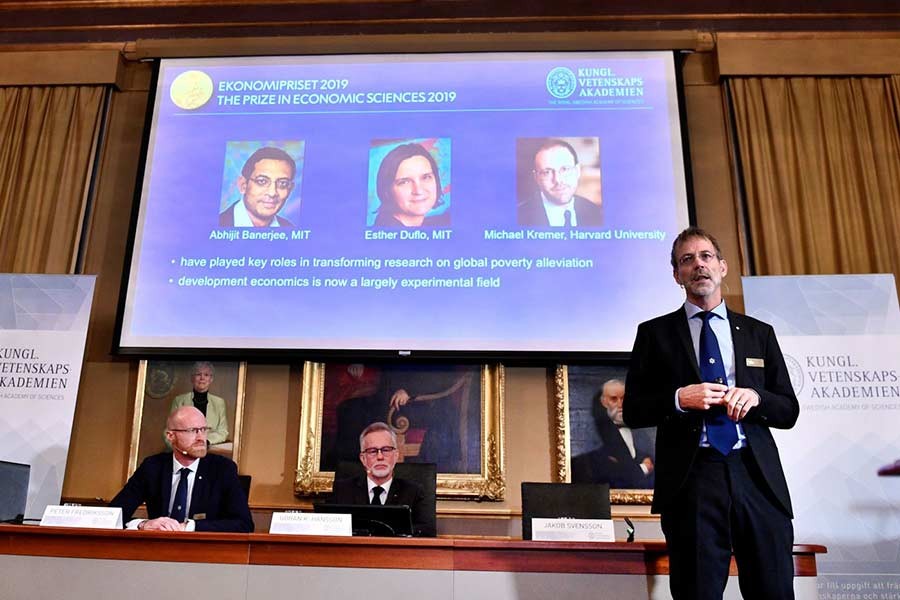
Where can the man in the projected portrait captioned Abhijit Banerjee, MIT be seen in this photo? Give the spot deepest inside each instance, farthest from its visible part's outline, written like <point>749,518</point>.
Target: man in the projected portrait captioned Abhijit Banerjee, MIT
<point>266,181</point>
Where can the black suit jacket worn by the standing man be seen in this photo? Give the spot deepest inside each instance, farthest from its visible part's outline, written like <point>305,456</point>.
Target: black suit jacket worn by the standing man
<point>663,360</point>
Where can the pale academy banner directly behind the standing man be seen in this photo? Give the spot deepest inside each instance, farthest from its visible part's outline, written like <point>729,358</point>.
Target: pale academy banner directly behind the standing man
<point>840,335</point>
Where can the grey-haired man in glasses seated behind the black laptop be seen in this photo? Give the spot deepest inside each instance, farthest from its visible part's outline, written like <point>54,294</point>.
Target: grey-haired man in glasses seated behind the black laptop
<point>378,454</point>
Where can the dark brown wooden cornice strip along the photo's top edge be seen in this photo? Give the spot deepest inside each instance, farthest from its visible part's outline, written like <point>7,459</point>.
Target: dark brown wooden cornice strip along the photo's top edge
<point>51,21</point>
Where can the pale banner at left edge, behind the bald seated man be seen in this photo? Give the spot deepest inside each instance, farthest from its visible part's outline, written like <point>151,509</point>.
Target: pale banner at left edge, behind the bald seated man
<point>43,326</point>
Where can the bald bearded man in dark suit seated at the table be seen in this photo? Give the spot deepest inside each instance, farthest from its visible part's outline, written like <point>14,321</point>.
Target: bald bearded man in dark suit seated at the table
<point>186,489</point>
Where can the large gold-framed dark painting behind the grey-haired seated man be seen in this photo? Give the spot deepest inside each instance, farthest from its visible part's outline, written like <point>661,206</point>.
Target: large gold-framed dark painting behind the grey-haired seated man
<point>450,415</point>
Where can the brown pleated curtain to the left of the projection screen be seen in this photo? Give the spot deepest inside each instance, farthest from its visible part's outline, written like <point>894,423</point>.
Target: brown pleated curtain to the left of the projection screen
<point>46,149</point>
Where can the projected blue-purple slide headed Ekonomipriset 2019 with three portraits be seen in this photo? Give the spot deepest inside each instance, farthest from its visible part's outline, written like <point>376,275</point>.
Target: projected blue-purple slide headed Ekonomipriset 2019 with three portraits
<point>431,203</point>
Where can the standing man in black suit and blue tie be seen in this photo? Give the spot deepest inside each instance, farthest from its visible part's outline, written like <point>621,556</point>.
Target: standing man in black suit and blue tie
<point>713,382</point>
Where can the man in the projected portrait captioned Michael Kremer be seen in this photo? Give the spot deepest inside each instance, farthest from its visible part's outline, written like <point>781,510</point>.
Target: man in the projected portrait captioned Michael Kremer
<point>556,174</point>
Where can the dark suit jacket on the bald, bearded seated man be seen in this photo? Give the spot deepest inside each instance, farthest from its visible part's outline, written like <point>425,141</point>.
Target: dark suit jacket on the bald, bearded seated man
<point>217,493</point>
